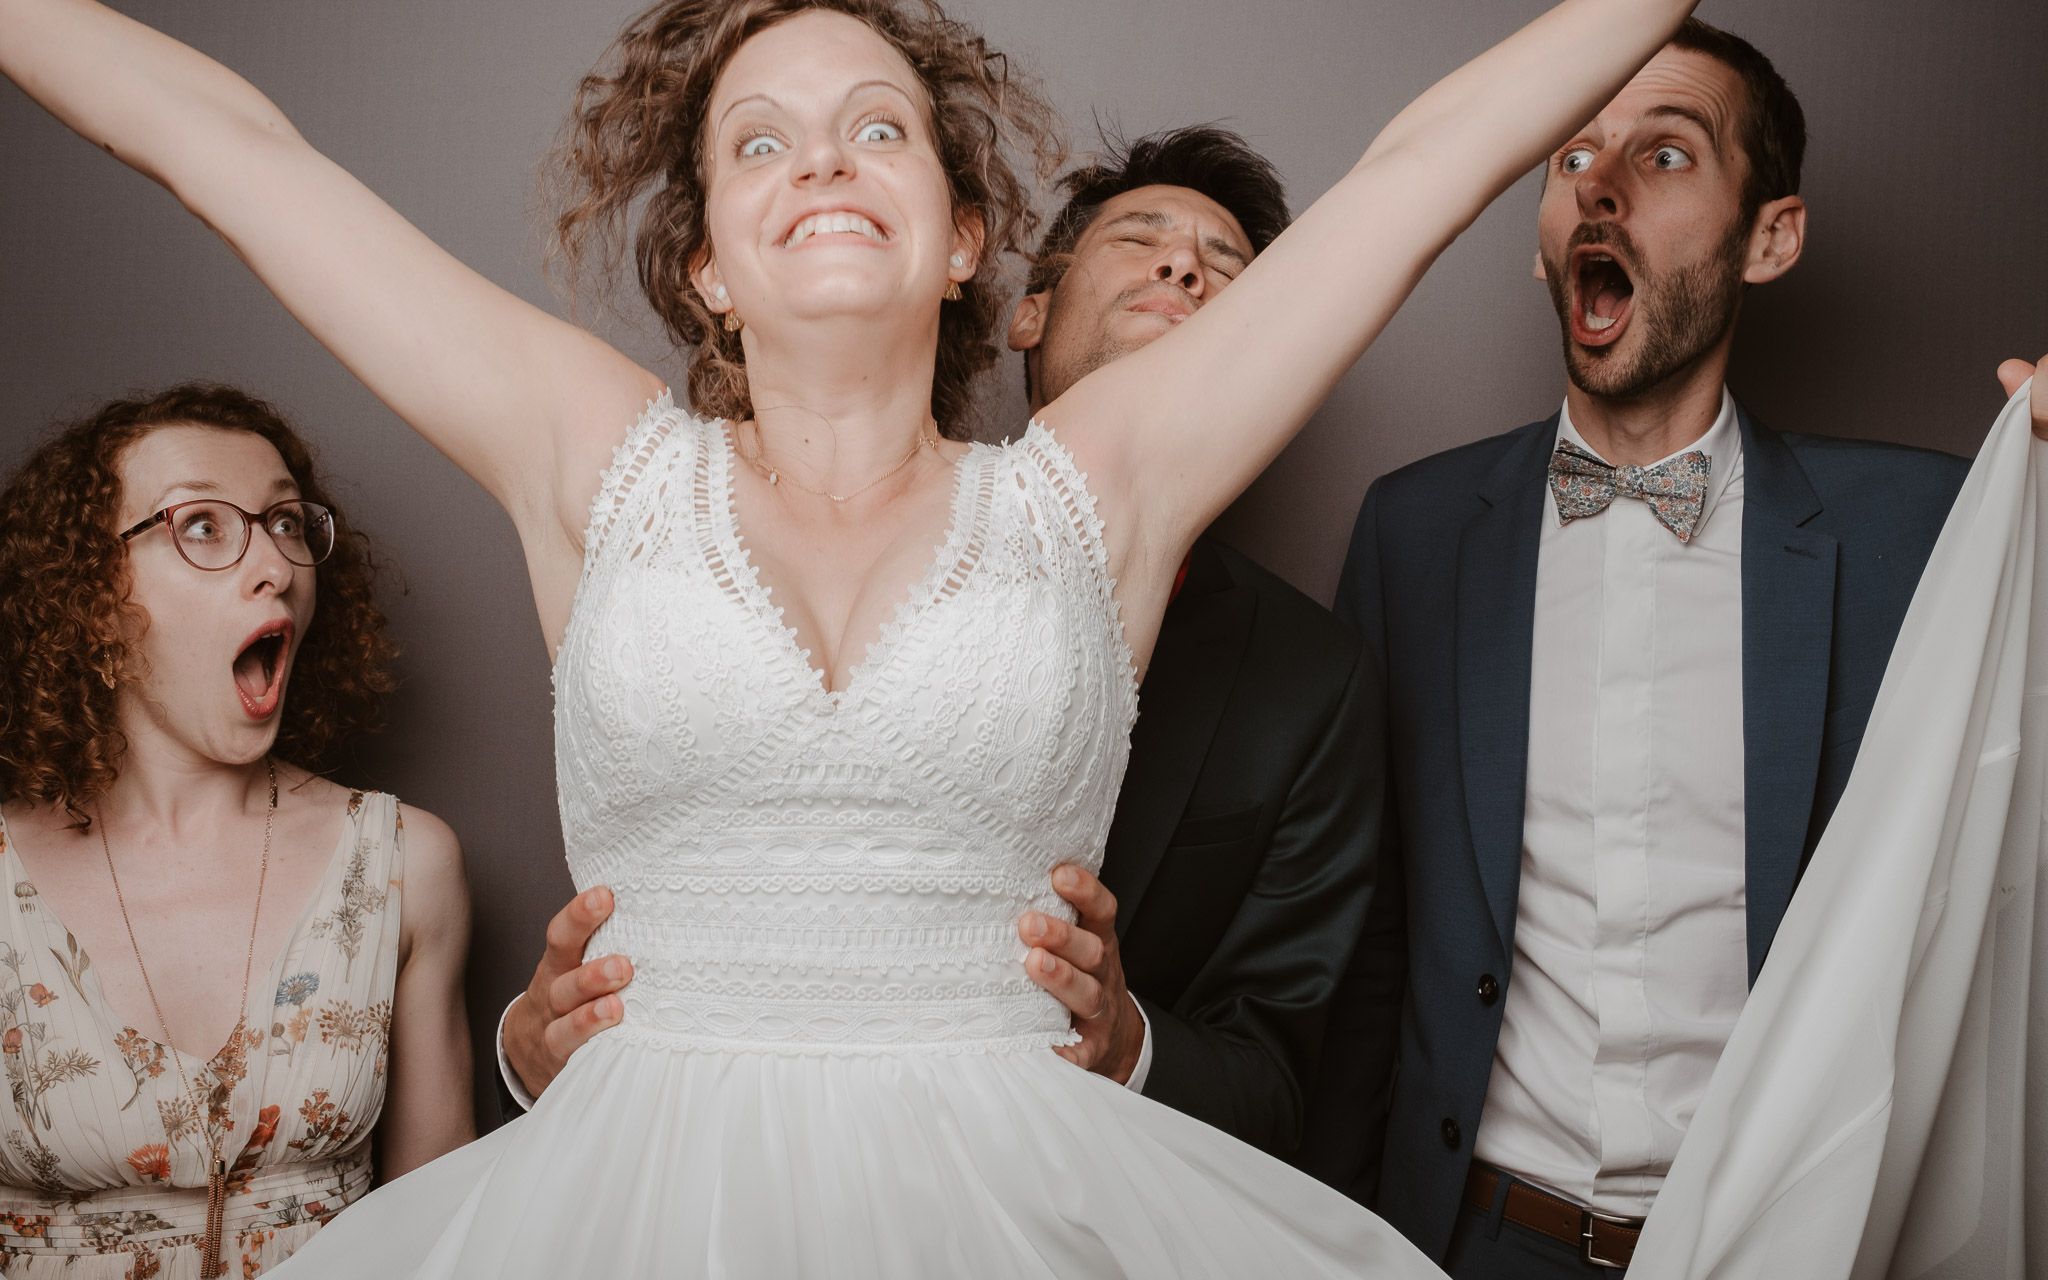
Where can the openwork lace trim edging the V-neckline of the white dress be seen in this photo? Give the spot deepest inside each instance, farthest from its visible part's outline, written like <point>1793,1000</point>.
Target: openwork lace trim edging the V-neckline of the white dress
<point>923,593</point>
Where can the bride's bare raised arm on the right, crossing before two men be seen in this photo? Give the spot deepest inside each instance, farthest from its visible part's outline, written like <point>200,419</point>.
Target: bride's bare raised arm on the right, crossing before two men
<point>1175,431</point>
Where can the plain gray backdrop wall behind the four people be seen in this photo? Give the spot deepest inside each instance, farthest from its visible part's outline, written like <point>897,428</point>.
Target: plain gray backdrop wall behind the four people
<point>1928,263</point>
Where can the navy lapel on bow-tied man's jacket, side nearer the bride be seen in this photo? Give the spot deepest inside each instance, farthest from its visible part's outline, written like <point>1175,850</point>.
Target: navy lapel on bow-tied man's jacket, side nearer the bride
<point>1496,634</point>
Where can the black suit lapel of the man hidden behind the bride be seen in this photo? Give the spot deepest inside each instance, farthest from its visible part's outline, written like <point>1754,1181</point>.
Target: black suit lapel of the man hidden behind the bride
<point>1187,687</point>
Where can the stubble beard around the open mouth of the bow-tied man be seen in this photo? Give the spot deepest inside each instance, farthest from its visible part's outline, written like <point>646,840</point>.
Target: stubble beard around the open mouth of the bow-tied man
<point>1682,314</point>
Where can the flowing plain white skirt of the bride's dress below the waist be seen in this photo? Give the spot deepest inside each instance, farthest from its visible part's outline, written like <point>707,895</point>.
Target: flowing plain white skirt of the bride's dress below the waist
<point>646,1160</point>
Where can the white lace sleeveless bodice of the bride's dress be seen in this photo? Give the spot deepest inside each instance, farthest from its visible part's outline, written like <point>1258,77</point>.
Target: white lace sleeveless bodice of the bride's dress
<point>837,871</point>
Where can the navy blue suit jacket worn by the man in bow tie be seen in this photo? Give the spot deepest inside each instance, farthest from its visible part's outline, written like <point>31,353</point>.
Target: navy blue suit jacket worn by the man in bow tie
<point>1441,583</point>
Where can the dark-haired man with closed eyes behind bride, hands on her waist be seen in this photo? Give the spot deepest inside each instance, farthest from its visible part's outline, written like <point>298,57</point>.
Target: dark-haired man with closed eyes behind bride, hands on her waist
<point>1242,853</point>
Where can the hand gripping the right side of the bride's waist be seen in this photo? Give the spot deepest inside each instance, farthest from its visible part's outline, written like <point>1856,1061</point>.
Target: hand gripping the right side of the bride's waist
<point>1082,968</point>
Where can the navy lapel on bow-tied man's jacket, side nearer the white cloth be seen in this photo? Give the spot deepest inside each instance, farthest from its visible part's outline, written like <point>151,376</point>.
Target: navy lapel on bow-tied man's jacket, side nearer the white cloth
<point>1789,630</point>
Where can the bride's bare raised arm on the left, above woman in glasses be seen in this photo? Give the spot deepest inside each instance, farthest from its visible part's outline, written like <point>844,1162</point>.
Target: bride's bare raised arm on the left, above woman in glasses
<point>511,394</point>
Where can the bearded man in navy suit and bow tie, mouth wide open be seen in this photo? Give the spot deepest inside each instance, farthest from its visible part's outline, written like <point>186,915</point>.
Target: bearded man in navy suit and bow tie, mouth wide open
<point>1631,652</point>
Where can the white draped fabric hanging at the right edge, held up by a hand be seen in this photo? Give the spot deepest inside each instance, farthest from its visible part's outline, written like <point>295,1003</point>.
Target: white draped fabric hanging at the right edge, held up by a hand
<point>1883,1105</point>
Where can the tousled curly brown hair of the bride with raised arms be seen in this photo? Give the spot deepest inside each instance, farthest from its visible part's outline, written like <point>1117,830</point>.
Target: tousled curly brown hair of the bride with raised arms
<point>638,146</point>
